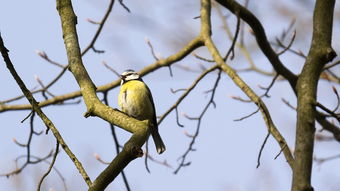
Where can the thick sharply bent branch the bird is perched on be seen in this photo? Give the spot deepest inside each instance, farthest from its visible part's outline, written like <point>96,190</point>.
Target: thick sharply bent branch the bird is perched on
<point>94,106</point>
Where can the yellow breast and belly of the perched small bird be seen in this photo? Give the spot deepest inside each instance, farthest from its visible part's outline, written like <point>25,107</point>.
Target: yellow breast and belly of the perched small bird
<point>135,100</point>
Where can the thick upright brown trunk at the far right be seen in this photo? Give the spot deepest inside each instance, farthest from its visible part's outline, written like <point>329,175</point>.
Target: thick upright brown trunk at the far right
<point>320,53</point>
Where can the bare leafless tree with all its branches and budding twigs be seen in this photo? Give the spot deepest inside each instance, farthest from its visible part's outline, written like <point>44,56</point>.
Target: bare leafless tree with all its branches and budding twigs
<point>318,65</point>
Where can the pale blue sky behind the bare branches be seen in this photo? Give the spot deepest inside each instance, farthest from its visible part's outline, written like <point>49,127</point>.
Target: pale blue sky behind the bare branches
<point>226,151</point>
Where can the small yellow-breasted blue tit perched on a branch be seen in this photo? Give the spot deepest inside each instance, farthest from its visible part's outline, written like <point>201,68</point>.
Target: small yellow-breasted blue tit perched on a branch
<point>135,100</point>
